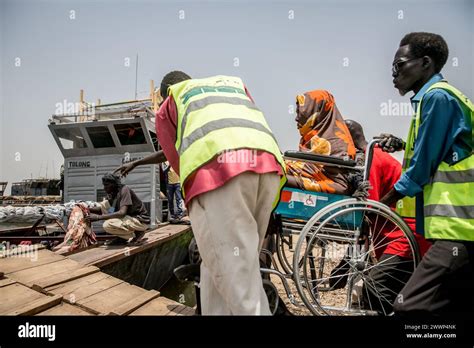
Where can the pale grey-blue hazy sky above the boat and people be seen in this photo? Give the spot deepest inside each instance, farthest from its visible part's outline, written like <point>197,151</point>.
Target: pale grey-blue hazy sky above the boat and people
<point>49,50</point>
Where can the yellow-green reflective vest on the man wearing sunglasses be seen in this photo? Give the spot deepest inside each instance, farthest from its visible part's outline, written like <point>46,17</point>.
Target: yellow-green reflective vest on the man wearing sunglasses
<point>448,198</point>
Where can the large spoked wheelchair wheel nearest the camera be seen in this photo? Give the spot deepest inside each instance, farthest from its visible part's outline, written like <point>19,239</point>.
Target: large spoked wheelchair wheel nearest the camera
<point>347,260</point>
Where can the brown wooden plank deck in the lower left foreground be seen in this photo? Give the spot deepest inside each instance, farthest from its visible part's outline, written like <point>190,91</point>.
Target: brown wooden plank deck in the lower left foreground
<point>37,281</point>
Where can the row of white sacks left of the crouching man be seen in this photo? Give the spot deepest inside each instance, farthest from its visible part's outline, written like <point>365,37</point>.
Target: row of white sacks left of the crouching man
<point>31,214</point>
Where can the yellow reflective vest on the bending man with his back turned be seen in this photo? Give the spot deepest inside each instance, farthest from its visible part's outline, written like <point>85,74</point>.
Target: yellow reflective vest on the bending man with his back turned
<point>216,115</point>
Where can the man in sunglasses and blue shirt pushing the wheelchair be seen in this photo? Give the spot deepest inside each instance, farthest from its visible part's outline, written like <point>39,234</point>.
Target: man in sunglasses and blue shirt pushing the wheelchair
<point>437,183</point>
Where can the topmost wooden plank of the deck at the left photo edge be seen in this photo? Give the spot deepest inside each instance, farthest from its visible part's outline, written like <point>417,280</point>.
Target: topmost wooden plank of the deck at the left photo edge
<point>25,261</point>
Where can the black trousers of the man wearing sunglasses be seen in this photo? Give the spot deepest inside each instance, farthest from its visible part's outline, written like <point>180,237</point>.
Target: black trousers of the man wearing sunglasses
<point>443,282</point>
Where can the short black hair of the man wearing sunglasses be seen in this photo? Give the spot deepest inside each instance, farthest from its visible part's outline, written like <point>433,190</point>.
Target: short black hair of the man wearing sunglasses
<point>428,44</point>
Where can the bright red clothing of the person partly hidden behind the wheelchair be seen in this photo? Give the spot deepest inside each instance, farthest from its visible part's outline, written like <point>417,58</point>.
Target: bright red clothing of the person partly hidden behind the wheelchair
<point>384,173</point>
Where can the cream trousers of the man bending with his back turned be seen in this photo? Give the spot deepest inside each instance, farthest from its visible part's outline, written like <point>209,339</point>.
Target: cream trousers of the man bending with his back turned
<point>229,225</point>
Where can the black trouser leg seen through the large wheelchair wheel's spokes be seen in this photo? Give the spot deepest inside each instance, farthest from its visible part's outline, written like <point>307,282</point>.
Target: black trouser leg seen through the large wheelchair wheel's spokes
<point>385,281</point>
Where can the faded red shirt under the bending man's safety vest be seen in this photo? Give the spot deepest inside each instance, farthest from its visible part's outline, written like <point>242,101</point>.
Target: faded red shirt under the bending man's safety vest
<point>217,172</point>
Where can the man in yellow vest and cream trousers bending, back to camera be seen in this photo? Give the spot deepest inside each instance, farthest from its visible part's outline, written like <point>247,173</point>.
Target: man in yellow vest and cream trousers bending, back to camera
<point>231,171</point>
